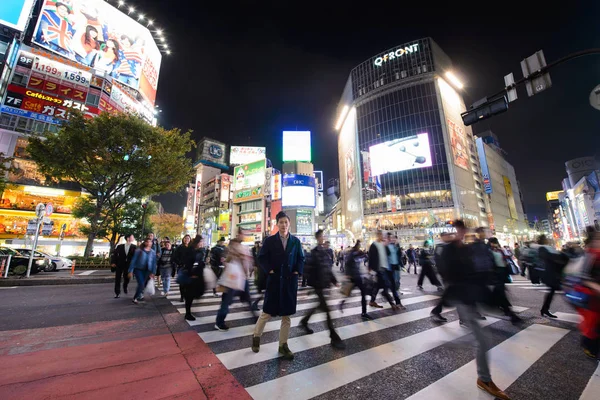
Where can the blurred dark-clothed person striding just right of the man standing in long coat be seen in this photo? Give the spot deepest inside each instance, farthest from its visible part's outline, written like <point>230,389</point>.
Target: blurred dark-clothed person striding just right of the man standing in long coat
<point>321,277</point>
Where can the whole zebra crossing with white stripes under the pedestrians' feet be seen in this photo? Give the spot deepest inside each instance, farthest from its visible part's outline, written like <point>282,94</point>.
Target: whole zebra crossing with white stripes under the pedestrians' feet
<point>385,344</point>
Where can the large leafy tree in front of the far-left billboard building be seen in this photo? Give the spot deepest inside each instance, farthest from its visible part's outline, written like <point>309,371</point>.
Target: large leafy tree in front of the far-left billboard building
<point>115,158</point>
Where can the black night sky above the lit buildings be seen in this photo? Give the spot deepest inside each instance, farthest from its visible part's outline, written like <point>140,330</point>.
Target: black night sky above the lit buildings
<point>243,73</point>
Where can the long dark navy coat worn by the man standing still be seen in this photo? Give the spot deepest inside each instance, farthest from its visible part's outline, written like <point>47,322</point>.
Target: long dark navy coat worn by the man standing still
<point>281,293</point>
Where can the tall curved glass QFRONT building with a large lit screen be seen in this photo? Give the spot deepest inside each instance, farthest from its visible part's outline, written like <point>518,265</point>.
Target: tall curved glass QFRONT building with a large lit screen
<point>407,162</point>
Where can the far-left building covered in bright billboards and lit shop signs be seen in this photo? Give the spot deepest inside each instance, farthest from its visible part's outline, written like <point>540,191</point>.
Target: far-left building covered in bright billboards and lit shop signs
<point>43,76</point>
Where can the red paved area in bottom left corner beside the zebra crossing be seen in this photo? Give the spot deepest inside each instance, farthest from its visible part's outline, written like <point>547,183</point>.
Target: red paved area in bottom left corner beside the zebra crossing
<point>137,358</point>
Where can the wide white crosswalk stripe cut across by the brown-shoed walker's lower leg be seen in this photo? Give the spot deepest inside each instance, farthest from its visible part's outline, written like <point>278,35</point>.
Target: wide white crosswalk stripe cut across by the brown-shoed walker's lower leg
<point>509,360</point>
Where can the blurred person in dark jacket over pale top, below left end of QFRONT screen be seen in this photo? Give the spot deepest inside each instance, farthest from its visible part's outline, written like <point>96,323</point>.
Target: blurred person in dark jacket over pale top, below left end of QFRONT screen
<point>379,264</point>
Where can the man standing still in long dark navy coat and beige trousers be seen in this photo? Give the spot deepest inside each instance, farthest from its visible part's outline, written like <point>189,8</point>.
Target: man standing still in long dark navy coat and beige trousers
<point>282,260</point>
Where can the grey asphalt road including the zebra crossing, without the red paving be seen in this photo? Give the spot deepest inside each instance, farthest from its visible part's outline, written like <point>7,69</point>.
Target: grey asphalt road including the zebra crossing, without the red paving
<point>403,355</point>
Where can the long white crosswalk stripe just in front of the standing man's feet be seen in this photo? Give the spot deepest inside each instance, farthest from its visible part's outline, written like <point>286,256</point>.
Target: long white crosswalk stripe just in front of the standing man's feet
<point>325,377</point>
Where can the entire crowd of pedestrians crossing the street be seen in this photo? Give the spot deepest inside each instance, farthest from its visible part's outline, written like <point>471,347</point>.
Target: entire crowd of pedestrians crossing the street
<point>472,276</point>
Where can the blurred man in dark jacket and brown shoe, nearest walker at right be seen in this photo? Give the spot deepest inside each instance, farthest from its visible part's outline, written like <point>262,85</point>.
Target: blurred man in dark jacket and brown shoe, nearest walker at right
<point>466,291</point>
